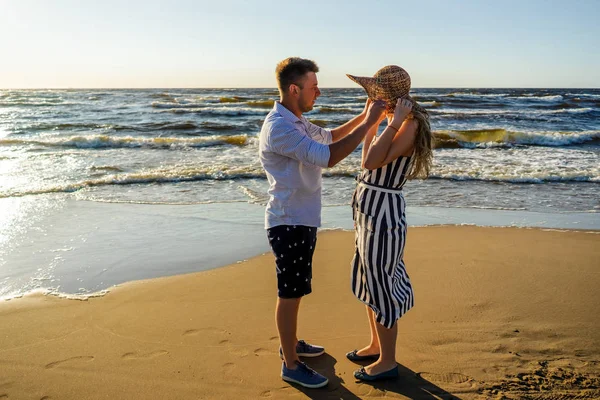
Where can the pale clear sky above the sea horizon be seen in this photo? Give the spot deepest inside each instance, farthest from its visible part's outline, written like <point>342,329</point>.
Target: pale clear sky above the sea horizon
<point>236,43</point>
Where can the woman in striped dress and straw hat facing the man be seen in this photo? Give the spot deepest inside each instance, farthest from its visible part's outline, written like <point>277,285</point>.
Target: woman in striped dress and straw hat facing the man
<point>379,278</point>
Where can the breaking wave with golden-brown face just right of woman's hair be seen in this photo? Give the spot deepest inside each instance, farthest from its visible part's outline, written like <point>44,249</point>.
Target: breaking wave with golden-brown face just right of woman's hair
<point>503,138</point>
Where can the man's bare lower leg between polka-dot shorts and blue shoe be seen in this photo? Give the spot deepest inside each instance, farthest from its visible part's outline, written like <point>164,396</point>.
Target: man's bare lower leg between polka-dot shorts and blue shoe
<point>286,315</point>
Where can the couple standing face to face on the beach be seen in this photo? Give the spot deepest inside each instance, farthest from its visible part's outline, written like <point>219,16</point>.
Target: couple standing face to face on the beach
<point>292,151</point>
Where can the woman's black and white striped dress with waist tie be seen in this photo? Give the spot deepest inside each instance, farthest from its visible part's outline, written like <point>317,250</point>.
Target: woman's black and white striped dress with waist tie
<point>379,277</point>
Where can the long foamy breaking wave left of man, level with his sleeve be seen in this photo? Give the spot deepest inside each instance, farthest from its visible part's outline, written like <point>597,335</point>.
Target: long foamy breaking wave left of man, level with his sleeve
<point>104,142</point>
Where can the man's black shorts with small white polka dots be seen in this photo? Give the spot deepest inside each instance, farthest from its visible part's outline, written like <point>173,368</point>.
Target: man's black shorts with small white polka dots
<point>293,247</point>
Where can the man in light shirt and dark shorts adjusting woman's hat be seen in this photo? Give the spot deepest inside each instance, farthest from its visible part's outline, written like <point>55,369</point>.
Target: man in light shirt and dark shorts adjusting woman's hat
<point>292,151</point>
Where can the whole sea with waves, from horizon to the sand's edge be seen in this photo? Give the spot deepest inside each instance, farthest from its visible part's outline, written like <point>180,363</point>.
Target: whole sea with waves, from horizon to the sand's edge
<point>103,186</point>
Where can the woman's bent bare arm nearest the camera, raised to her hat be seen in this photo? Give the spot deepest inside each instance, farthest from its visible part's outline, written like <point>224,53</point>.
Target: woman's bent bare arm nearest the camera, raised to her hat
<point>396,140</point>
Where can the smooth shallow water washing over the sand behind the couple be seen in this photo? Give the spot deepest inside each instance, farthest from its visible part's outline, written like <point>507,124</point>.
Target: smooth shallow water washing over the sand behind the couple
<point>77,248</point>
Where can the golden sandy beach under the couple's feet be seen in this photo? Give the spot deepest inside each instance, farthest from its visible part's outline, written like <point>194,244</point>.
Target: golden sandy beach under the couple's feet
<point>500,313</point>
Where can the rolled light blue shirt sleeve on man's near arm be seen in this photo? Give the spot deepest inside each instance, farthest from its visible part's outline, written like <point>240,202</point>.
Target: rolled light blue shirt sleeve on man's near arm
<point>295,144</point>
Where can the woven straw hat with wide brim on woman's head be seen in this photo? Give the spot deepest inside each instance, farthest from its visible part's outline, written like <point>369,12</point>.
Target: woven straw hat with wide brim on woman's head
<point>389,84</point>
